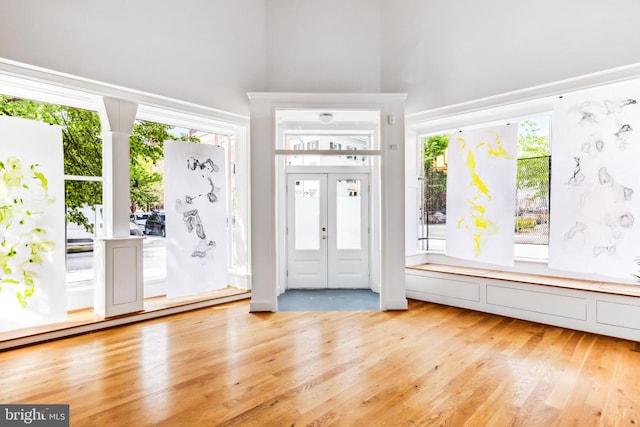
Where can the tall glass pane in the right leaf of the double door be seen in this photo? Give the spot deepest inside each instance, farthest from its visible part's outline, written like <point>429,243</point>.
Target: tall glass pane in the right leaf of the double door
<point>348,215</point>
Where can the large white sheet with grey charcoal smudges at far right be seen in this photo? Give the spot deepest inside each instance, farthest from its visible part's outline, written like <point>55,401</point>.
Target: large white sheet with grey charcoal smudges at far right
<point>595,182</point>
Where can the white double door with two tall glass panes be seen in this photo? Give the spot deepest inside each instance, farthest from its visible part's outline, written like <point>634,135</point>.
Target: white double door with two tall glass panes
<point>328,230</point>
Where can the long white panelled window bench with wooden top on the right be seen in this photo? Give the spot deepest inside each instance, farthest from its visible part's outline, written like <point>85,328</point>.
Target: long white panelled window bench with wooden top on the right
<point>600,307</point>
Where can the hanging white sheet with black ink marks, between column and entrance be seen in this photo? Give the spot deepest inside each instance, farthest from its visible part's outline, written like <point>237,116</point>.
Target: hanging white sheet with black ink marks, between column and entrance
<point>196,218</point>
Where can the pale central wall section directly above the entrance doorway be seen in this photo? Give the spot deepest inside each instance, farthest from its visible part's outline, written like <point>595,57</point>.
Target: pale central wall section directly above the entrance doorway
<point>323,46</point>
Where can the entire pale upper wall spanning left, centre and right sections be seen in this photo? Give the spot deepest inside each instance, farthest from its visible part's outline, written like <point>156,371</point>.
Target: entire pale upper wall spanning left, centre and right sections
<point>212,52</point>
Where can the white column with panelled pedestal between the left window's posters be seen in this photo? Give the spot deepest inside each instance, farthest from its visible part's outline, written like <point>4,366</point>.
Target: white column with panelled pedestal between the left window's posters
<point>118,256</point>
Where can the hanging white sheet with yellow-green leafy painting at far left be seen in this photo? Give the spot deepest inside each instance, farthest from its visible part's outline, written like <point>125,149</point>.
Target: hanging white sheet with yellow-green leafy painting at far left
<point>32,242</point>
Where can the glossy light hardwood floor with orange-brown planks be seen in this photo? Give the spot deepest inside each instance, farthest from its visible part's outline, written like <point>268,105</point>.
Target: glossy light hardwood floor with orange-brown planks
<point>430,365</point>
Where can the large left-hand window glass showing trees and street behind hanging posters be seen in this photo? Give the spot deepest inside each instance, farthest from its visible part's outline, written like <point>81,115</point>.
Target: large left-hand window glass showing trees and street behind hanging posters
<point>82,144</point>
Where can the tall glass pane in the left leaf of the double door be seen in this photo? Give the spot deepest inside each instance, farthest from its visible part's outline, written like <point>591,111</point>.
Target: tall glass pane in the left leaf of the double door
<point>307,214</point>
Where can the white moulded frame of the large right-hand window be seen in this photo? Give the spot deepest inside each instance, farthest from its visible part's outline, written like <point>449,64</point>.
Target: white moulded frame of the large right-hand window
<point>529,101</point>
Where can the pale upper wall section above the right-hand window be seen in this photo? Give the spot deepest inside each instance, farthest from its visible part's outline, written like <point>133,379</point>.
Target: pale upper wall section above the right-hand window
<point>444,52</point>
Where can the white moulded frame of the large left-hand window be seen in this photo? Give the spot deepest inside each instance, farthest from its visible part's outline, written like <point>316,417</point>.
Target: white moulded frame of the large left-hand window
<point>28,82</point>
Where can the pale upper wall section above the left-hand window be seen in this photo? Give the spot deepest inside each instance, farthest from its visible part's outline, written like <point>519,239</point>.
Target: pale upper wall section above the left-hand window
<point>209,52</point>
